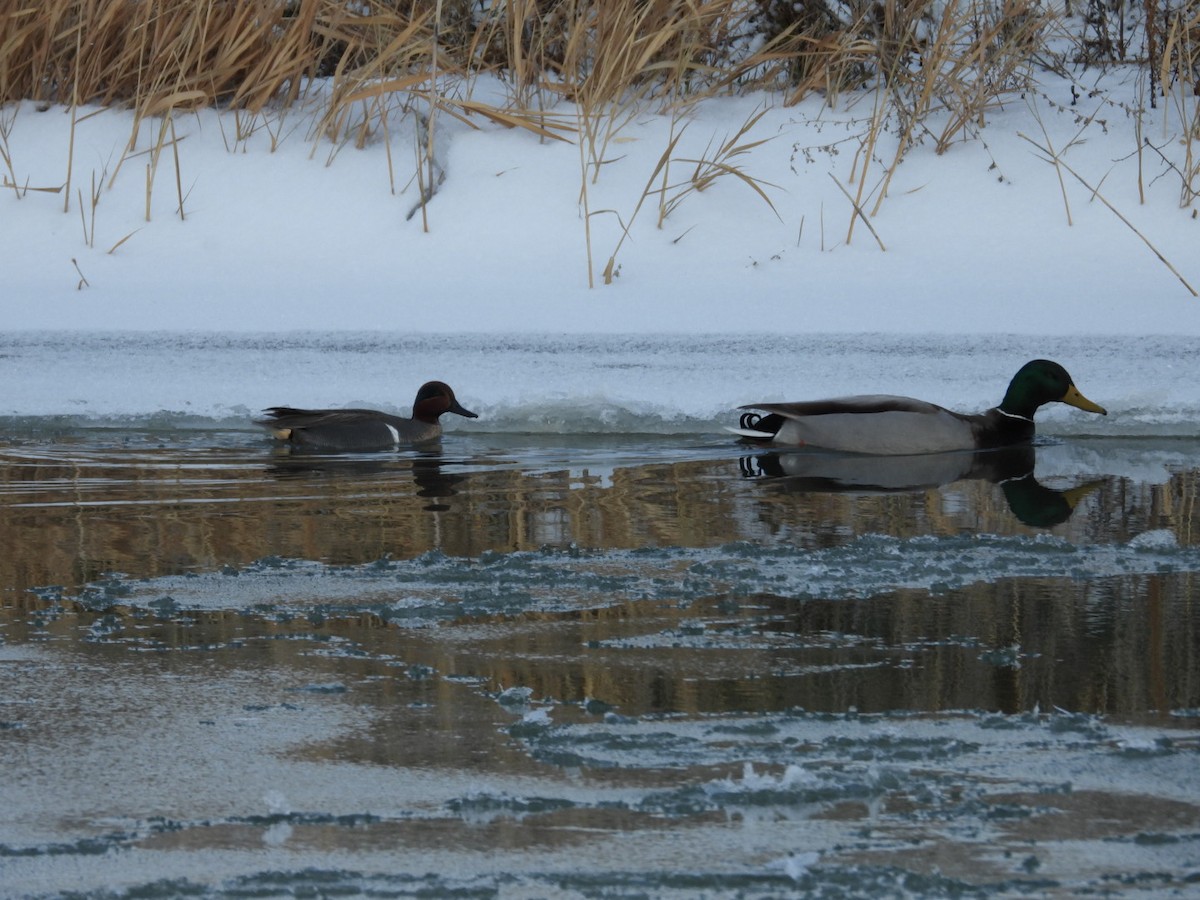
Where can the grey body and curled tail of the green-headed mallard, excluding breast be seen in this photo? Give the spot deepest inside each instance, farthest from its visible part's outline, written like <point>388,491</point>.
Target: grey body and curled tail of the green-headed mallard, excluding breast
<point>872,424</point>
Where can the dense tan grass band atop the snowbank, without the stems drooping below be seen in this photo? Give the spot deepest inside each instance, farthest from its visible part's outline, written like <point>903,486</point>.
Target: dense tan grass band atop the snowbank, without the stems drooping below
<point>158,56</point>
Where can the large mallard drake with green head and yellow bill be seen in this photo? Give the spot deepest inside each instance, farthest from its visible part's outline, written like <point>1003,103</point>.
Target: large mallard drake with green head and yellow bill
<point>889,425</point>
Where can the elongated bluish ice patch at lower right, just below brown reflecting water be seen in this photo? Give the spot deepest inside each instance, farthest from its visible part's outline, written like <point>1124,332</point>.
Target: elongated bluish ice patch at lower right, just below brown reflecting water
<point>800,753</point>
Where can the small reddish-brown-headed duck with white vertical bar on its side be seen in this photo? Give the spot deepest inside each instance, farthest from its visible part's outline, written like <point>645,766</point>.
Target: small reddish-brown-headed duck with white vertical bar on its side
<point>365,429</point>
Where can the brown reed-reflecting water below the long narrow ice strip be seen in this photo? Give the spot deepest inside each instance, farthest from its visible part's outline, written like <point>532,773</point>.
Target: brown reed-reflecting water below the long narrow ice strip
<point>1119,646</point>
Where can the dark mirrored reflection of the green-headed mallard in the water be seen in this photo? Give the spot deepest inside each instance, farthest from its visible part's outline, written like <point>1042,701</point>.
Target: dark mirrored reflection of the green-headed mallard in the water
<point>1012,469</point>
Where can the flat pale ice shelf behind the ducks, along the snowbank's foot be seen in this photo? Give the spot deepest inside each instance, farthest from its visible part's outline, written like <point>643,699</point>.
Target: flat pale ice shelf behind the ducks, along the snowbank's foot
<point>602,383</point>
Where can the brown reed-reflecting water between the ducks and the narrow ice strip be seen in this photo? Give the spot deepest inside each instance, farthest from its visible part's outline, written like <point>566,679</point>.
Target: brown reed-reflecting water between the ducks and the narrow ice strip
<point>93,518</point>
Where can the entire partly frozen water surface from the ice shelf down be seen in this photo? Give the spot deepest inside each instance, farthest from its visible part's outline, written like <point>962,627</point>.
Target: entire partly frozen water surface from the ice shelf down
<point>573,667</point>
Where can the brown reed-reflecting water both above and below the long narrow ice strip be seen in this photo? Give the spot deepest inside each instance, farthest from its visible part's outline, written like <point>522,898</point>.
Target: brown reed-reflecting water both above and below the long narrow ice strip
<point>80,519</point>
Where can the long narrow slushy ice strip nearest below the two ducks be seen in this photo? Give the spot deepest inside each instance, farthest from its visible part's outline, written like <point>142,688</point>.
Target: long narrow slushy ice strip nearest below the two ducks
<point>436,587</point>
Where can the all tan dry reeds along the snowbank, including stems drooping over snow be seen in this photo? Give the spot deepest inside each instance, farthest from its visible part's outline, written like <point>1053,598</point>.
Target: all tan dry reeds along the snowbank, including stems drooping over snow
<point>940,69</point>
